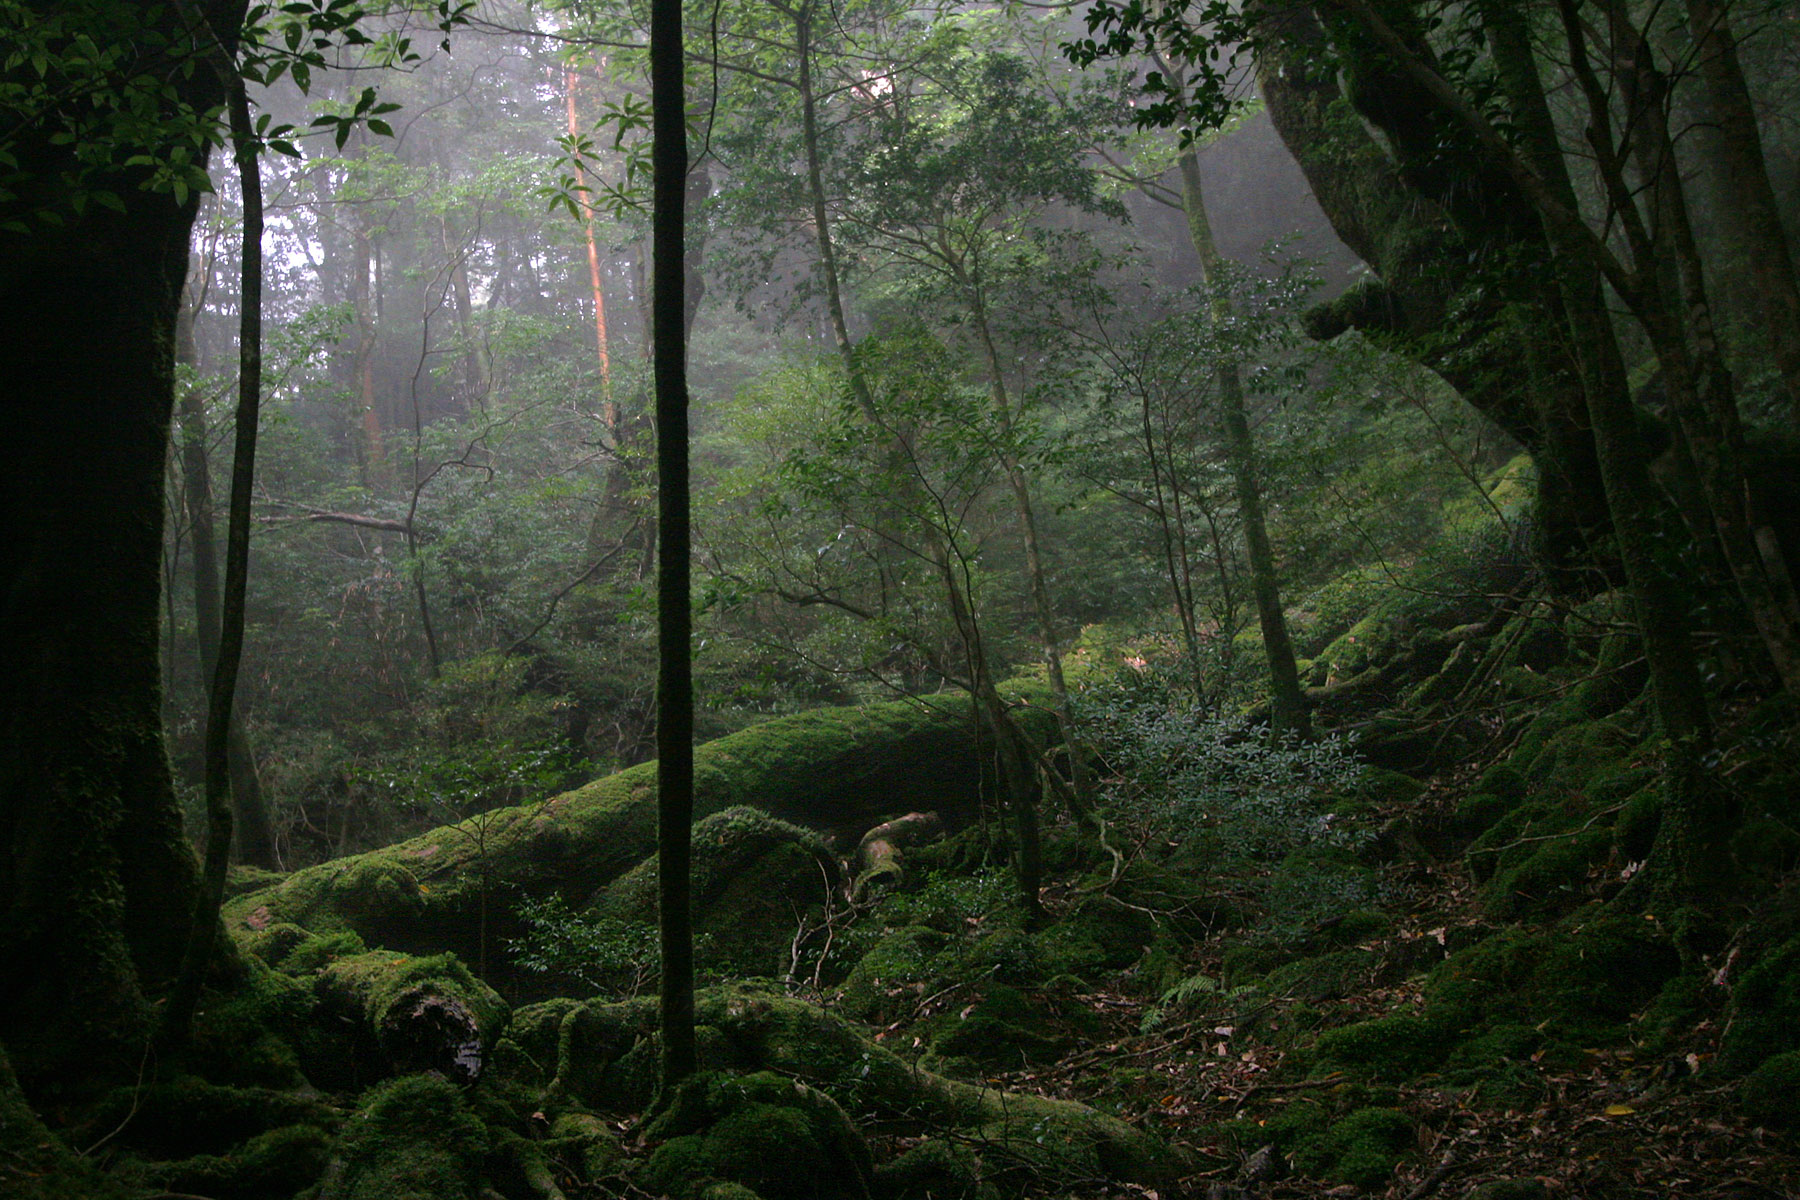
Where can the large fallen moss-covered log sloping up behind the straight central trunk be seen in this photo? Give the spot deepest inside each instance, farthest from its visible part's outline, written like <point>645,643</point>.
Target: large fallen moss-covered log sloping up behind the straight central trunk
<point>444,890</point>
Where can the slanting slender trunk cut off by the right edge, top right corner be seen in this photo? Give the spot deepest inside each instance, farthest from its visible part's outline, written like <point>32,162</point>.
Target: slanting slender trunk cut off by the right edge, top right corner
<point>1756,215</point>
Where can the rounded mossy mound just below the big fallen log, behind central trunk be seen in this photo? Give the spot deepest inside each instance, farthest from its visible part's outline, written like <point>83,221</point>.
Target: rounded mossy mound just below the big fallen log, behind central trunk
<point>753,879</point>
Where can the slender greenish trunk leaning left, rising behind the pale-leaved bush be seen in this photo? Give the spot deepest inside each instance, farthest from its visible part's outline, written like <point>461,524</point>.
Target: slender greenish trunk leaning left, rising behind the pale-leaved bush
<point>1288,704</point>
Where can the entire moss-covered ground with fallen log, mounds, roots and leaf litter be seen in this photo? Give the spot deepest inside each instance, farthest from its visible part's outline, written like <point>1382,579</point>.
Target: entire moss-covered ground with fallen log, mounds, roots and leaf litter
<point>1428,954</point>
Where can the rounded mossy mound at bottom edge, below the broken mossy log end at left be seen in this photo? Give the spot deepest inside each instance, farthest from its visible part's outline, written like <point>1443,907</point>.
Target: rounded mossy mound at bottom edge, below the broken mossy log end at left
<point>411,1140</point>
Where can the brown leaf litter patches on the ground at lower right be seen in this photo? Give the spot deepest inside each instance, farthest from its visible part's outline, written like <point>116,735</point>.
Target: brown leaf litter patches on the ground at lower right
<point>1619,1124</point>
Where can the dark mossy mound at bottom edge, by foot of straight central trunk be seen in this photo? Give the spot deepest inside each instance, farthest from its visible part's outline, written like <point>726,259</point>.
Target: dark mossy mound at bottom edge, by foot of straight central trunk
<point>766,1133</point>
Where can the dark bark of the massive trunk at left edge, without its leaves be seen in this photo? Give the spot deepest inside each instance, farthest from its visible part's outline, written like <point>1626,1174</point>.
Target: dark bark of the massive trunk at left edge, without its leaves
<point>96,881</point>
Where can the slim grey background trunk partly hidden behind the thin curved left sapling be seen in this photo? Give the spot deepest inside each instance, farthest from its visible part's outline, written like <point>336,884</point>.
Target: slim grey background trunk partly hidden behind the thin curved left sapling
<point>255,836</point>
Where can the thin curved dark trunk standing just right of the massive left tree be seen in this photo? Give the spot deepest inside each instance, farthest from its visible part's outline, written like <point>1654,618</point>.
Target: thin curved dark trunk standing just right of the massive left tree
<point>204,933</point>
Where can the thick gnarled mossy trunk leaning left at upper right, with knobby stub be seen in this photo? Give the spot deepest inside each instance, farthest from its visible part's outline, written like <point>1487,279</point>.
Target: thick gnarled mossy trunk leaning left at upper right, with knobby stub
<point>1437,253</point>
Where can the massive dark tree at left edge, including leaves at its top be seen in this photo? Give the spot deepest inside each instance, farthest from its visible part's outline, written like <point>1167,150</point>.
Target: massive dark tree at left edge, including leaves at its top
<point>111,114</point>
